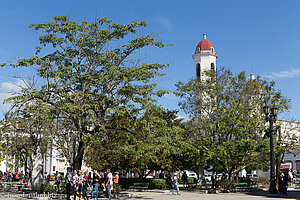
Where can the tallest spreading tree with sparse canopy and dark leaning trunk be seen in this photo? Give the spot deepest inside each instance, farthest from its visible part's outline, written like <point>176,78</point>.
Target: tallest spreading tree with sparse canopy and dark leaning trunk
<point>92,77</point>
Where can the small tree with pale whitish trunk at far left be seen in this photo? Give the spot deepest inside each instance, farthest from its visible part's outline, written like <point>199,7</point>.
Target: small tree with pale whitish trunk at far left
<point>27,136</point>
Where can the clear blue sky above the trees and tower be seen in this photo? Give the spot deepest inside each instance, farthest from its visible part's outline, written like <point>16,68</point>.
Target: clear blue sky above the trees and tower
<point>253,36</point>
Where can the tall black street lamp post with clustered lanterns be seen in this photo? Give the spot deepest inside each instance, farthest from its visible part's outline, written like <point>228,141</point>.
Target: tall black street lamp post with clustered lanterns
<point>271,114</point>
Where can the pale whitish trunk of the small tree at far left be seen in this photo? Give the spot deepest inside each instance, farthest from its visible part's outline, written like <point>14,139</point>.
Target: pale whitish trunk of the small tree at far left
<point>37,169</point>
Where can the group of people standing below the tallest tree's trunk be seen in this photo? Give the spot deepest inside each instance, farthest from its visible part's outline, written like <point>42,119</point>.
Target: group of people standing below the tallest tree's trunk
<point>78,182</point>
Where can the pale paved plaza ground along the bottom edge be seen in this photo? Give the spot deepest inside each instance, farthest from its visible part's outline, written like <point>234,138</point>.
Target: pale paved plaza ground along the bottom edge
<point>190,195</point>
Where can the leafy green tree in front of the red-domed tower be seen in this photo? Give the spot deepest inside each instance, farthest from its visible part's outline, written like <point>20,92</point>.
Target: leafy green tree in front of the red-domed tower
<point>227,119</point>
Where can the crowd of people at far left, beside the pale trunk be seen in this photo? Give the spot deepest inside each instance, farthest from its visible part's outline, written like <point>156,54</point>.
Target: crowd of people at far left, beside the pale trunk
<point>15,177</point>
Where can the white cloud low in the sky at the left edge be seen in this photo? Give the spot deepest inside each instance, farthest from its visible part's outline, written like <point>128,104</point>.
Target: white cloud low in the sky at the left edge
<point>9,89</point>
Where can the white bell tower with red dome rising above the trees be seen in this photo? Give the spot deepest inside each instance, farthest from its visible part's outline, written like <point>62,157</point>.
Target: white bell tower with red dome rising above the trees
<point>205,58</point>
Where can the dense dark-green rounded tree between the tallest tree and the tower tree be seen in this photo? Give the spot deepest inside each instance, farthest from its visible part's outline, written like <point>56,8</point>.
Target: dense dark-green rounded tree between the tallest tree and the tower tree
<point>156,145</point>
